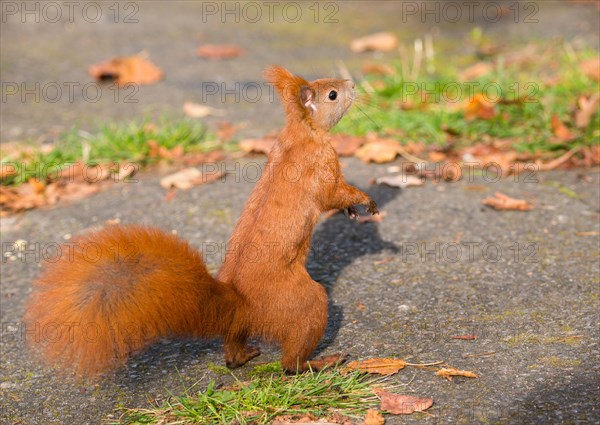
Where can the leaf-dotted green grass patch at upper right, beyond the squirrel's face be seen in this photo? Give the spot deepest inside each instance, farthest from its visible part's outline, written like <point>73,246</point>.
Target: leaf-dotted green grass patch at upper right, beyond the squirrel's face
<point>437,116</point>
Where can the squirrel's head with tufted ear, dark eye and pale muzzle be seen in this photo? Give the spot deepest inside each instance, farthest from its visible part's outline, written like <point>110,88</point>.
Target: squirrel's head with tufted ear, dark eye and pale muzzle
<point>321,103</point>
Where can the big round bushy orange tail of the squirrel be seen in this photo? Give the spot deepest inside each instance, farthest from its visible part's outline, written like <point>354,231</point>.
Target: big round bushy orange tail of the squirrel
<point>112,292</point>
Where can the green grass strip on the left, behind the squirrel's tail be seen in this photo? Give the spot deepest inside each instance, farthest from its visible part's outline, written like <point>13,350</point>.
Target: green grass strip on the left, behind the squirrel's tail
<point>110,144</point>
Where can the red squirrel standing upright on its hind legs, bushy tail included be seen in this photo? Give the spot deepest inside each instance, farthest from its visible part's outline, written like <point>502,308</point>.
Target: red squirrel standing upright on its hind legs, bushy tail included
<point>144,284</point>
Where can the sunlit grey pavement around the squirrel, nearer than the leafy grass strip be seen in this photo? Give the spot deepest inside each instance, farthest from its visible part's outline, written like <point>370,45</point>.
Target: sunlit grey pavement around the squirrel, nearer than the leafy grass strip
<point>439,265</point>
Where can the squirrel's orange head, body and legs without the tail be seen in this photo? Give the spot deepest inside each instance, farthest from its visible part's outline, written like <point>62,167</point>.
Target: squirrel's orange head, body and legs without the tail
<point>301,179</point>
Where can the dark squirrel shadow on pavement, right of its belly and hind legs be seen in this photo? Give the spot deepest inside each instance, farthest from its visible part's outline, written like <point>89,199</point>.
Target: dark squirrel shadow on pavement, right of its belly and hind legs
<point>336,243</point>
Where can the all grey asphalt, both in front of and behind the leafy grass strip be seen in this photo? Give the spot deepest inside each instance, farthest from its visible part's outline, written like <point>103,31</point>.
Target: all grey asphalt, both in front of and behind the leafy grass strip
<point>439,265</point>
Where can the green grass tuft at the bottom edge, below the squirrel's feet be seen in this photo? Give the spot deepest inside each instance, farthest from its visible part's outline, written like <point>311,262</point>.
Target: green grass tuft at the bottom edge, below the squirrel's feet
<point>268,395</point>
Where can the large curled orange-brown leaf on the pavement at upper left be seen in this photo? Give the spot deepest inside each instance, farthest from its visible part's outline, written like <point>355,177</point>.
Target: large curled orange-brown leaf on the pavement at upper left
<point>127,70</point>
